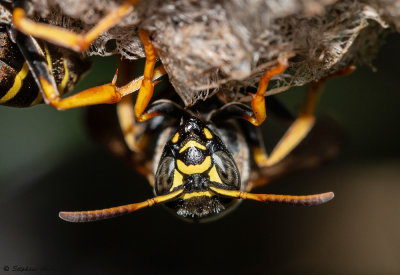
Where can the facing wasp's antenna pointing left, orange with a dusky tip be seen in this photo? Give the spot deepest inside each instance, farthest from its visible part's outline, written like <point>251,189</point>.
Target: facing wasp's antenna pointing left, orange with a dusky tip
<point>97,215</point>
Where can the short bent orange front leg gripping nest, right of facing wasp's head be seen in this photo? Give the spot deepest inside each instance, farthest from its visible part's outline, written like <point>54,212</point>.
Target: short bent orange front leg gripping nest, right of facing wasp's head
<point>258,101</point>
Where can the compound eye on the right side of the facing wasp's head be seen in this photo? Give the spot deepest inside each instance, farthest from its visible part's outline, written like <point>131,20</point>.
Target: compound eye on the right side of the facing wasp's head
<point>227,169</point>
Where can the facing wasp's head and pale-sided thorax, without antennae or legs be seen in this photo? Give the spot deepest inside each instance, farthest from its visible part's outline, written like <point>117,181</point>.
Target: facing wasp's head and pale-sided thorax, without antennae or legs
<point>197,156</point>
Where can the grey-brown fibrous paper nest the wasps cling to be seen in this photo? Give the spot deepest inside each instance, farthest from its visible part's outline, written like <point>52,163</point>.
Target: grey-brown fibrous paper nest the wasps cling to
<point>225,45</point>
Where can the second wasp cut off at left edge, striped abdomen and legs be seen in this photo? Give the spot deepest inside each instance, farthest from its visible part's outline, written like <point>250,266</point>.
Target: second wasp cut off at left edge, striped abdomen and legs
<point>33,71</point>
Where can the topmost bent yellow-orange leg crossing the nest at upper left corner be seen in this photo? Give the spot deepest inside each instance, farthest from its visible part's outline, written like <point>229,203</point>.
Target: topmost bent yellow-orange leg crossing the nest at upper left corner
<point>66,38</point>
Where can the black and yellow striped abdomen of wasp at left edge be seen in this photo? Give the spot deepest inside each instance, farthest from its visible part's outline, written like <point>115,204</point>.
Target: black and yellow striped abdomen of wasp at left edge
<point>18,87</point>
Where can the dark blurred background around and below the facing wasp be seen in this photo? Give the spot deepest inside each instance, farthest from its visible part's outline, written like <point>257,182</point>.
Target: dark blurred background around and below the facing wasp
<point>49,163</point>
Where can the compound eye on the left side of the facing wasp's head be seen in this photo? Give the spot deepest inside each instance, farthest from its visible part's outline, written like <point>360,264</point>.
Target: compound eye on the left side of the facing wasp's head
<point>164,176</point>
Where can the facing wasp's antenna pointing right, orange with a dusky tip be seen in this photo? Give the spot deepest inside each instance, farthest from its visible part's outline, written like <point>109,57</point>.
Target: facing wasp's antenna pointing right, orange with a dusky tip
<point>315,199</point>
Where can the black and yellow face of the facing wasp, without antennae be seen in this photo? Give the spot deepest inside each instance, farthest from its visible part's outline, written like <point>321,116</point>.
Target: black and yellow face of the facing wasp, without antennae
<point>193,160</point>
